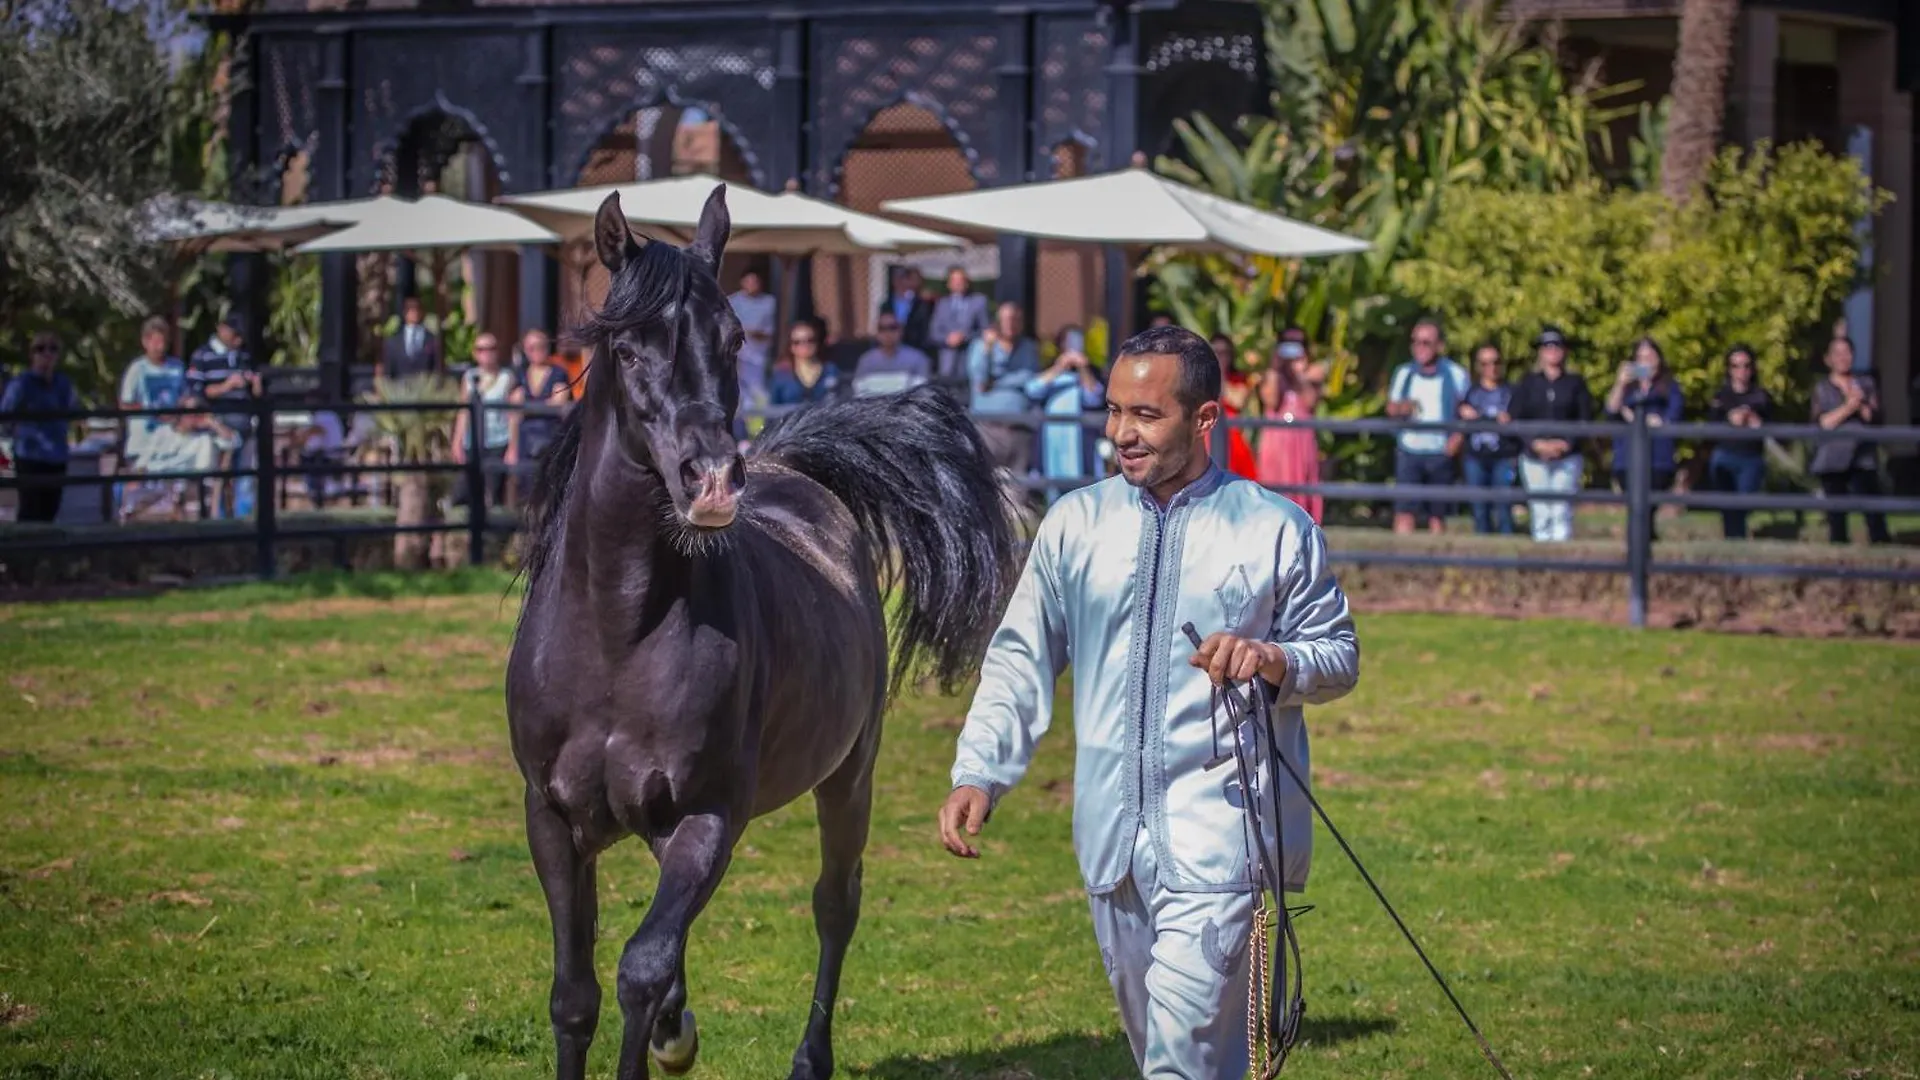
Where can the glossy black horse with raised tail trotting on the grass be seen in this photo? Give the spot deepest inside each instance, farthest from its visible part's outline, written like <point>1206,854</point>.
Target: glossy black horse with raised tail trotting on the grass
<point>704,637</point>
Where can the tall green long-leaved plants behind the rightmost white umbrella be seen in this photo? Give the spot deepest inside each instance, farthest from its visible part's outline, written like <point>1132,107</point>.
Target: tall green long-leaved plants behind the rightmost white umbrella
<point>1380,109</point>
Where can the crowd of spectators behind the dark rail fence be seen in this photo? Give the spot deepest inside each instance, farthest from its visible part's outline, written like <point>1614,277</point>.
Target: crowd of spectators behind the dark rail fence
<point>1038,410</point>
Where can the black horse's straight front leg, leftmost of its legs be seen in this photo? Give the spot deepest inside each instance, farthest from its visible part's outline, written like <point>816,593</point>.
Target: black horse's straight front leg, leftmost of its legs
<point>567,879</point>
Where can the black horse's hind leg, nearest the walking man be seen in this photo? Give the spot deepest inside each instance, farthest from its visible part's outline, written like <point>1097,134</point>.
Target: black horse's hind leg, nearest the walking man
<point>846,806</point>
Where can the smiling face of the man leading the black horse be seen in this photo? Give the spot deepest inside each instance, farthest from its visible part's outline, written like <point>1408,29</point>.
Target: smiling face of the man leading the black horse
<point>1153,435</point>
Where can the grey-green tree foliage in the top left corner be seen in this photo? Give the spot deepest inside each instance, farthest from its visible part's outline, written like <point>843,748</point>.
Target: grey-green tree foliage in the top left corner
<point>95,122</point>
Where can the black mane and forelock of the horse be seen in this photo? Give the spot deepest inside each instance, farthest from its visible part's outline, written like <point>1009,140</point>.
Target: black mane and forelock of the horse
<point>650,287</point>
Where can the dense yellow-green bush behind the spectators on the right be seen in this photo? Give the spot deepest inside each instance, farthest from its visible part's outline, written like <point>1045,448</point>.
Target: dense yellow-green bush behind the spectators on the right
<point>1764,257</point>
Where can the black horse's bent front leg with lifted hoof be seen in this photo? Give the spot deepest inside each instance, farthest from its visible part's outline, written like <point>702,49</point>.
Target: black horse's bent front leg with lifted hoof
<point>694,858</point>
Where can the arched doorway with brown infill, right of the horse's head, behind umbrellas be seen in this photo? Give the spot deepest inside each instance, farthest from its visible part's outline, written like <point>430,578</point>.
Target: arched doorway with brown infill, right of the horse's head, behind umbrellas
<point>903,151</point>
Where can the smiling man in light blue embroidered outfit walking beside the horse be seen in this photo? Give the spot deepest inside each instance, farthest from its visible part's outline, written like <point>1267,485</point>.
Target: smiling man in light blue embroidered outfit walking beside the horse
<point>1164,848</point>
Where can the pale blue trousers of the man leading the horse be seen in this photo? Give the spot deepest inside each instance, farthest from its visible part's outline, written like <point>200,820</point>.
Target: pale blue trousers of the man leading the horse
<point>1178,966</point>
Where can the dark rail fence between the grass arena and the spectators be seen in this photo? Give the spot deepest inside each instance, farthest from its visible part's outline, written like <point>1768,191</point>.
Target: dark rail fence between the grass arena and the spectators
<point>1639,497</point>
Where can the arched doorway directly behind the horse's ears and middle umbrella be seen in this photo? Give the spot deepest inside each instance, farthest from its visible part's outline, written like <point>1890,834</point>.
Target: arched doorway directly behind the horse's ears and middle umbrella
<point>646,145</point>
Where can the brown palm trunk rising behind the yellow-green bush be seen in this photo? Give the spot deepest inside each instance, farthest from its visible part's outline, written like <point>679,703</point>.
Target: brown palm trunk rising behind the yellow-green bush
<point>1700,95</point>
